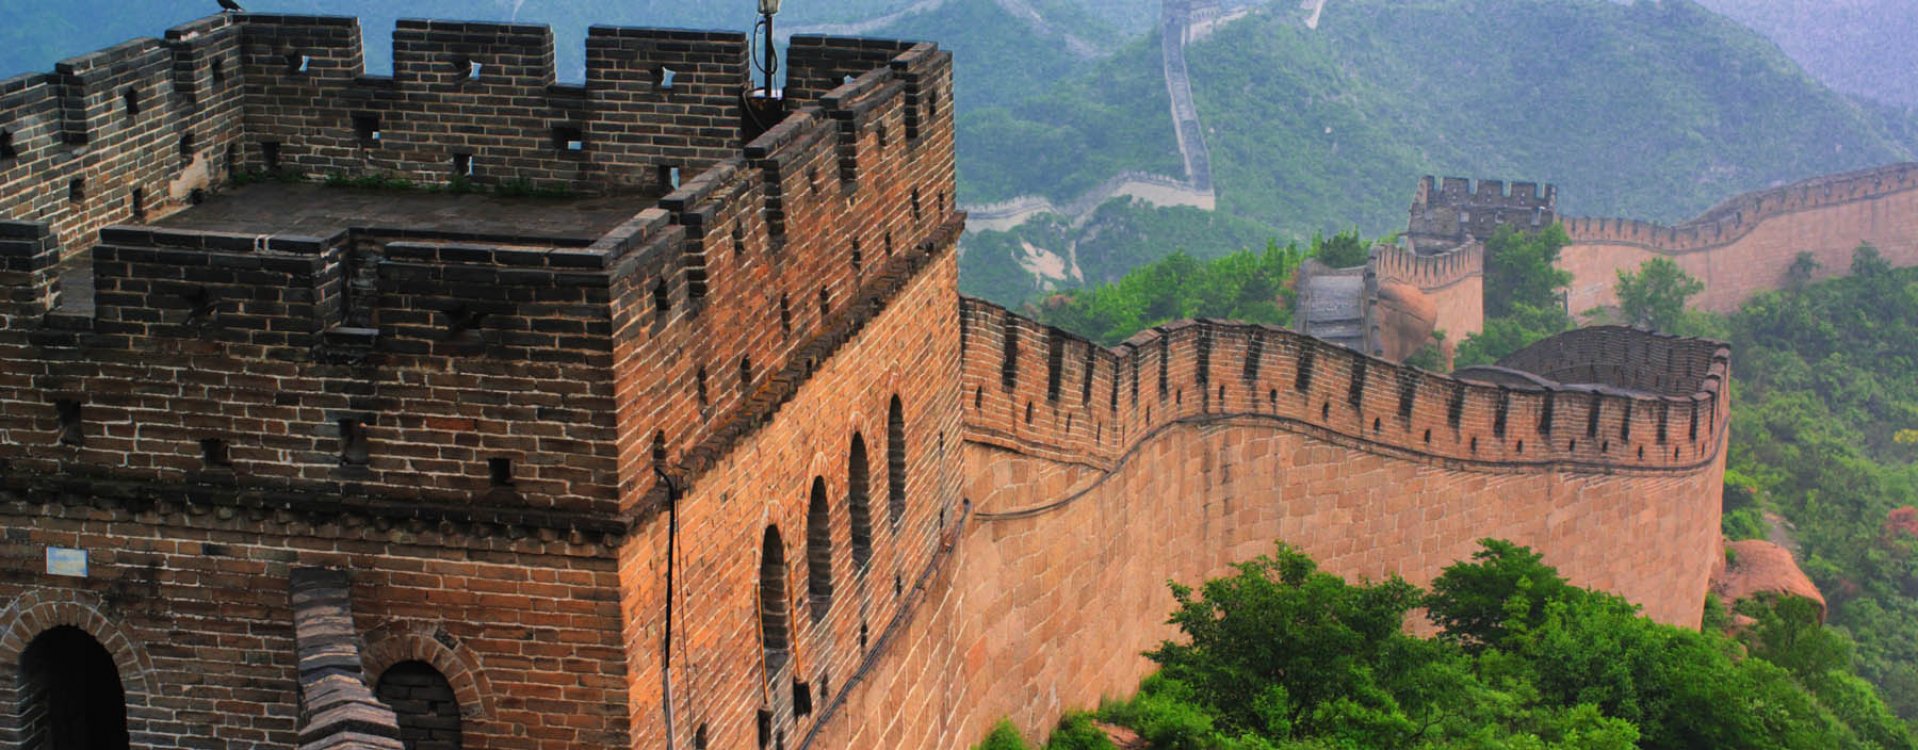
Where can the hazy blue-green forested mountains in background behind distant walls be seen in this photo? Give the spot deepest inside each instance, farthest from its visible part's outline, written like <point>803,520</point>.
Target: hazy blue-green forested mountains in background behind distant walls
<point>1645,110</point>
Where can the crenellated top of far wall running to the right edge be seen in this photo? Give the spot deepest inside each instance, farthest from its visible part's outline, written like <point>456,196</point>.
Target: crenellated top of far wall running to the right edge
<point>1741,216</point>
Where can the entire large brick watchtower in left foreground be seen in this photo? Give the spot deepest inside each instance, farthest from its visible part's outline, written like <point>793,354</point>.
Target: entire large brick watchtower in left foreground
<point>337,408</point>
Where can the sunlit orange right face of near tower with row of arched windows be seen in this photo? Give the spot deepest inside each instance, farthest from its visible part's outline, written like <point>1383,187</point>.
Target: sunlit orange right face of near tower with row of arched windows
<point>828,254</point>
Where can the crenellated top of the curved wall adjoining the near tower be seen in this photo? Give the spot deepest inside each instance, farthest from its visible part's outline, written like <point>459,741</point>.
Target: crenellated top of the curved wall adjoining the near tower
<point>1629,400</point>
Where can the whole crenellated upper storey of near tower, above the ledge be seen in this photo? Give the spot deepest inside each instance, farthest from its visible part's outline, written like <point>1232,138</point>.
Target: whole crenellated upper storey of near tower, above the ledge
<point>452,350</point>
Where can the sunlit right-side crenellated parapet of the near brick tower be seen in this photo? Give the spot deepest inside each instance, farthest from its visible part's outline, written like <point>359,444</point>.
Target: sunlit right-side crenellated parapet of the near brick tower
<point>768,262</point>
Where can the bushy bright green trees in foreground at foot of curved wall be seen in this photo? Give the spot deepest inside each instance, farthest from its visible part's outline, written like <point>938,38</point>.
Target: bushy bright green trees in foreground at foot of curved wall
<point>1282,655</point>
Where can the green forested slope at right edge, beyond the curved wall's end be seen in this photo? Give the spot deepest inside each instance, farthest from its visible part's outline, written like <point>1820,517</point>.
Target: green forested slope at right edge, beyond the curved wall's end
<point>1825,433</point>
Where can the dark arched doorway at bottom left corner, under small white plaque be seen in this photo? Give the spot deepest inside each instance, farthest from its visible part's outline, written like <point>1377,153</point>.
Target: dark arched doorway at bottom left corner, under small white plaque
<point>72,693</point>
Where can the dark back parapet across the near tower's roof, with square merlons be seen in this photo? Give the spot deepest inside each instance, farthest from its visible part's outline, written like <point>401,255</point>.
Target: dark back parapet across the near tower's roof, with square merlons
<point>653,101</point>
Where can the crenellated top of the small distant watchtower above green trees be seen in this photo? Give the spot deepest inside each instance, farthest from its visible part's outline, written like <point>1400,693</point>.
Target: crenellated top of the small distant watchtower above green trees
<point>1449,214</point>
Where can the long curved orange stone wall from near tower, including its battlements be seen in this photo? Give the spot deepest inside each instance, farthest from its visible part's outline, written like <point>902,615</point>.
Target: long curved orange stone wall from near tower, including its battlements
<point>1054,582</point>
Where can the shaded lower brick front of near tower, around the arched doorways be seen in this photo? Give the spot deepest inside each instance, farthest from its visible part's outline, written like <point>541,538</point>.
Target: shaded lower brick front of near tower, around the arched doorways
<point>195,596</point>
